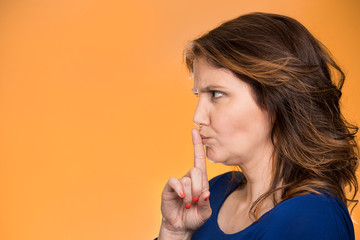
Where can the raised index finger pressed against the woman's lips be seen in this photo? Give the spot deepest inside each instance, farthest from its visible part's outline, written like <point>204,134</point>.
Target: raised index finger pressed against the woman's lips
<point>199,153</point>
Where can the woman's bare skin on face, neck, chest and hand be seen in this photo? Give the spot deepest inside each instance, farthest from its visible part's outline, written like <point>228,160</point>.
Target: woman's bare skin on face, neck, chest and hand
<point>235,132</point>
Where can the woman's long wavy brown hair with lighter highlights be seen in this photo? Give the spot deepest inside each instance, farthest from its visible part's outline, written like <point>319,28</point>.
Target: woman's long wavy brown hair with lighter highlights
<point>294,77</point>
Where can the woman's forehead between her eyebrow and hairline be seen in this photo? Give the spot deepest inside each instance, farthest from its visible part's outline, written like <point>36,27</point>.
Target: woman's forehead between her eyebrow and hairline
<point>205,74</point>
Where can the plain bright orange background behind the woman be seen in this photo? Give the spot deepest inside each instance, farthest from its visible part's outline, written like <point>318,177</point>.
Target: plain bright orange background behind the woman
<point>96,106</point>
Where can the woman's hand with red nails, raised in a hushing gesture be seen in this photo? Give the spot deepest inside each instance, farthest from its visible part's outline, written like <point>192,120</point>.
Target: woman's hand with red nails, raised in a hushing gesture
<point>185,206</point>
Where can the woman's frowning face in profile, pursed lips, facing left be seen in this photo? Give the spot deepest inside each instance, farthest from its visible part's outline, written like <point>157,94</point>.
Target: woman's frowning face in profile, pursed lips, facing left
<point>234,129</point>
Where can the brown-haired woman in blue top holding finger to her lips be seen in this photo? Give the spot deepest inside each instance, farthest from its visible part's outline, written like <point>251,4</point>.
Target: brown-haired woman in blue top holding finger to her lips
<point>269,104</point>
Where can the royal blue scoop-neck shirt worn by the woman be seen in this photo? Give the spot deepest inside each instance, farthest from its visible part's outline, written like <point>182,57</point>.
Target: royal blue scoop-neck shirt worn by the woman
<point>310,216</point>
